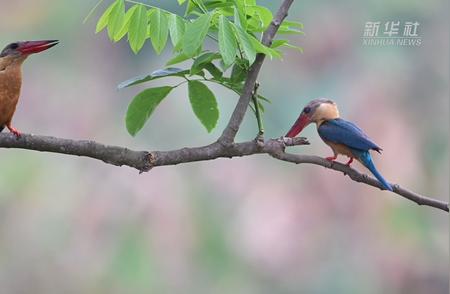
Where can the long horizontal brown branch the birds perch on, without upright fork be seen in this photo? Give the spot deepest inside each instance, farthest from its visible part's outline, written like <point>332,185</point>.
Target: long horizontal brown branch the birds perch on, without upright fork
<point>144,160</point>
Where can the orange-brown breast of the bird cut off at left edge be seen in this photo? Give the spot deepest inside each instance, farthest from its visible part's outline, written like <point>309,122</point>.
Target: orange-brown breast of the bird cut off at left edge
<point>10,84</point>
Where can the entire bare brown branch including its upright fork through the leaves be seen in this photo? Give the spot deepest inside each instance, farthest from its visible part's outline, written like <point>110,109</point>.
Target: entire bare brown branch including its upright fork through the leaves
<point>224,147</point>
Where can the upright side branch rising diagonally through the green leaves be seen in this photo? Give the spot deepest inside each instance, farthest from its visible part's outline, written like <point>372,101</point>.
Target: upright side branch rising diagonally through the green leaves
<point>229,133</point>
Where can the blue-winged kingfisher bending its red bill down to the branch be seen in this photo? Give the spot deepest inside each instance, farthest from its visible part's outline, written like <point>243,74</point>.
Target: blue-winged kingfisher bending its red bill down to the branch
<point>342,136</point>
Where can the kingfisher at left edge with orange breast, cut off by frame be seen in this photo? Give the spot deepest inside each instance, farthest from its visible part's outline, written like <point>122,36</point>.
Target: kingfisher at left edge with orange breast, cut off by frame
<point>11,60</point>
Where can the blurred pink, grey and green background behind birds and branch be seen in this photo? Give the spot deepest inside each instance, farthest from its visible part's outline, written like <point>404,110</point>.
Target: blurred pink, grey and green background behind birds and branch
<point>247,225</point>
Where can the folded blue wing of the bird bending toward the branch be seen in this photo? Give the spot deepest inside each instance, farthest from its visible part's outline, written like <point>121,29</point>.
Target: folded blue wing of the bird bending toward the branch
<point>344,132</point>
